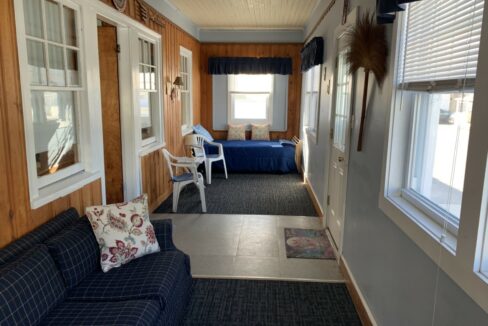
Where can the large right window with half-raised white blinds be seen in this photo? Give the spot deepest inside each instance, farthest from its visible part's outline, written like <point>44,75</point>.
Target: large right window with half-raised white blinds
<point>438,55</point>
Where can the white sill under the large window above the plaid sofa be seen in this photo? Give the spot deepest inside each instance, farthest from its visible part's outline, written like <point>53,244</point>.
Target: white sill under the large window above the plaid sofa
<point>63,188</point>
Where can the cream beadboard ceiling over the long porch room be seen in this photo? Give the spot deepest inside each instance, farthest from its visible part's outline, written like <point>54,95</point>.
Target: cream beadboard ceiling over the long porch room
<point>286,14</point>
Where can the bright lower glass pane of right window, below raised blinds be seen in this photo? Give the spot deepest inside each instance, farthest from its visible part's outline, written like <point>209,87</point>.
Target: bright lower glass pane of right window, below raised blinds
<point>440,150</point>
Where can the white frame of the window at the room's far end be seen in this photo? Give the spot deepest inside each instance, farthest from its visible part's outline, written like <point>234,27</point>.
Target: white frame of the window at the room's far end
<point>248,122</point>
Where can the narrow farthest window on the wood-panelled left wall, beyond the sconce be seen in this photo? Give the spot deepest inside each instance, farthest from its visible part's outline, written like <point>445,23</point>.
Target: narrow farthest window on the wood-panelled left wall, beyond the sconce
<point>186,90</point>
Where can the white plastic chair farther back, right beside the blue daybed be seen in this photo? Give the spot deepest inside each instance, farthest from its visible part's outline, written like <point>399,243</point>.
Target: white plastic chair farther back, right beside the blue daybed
<point>197,144</point>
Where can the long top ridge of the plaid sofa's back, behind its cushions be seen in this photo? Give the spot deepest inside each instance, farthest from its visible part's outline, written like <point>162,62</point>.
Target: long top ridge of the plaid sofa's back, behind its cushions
<point>38,236</point>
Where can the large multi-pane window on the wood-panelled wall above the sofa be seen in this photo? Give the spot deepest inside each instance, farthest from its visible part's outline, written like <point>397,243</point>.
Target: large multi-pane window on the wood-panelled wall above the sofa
<point>54,92</point>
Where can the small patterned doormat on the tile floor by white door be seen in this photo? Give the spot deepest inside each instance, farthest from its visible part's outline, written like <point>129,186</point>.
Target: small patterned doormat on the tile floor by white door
<point>308,243</point>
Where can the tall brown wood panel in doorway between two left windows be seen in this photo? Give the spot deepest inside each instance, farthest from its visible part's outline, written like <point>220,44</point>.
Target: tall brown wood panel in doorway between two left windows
<point>111,117</point>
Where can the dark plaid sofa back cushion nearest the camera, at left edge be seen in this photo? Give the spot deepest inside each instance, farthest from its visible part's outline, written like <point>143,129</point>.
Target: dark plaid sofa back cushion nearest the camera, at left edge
<point>29,288</point>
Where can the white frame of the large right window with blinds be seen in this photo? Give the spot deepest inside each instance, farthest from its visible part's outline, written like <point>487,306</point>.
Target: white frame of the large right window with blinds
<point>464,265</point>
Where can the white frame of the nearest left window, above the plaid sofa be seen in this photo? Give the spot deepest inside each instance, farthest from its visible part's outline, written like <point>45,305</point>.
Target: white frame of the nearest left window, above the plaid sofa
<point>45,189</point>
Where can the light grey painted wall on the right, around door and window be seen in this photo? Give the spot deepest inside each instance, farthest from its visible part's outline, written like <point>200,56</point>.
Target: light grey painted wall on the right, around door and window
<point>397,279</point>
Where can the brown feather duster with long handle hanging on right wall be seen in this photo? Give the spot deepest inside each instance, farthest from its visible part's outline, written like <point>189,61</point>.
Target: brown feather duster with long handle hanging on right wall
<point>368,49</point>
